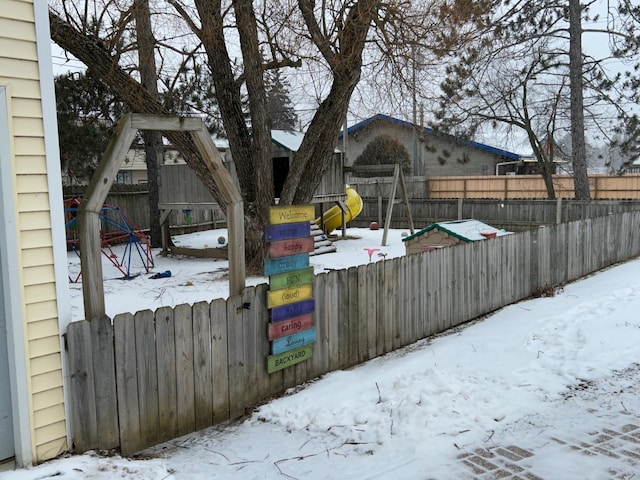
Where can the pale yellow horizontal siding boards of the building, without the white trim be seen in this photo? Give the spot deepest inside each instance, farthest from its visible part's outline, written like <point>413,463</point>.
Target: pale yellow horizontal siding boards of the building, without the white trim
<point>19,72</point>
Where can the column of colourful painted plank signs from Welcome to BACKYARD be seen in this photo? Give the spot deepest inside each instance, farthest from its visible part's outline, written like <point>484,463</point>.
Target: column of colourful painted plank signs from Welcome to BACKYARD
<point>290,296</point>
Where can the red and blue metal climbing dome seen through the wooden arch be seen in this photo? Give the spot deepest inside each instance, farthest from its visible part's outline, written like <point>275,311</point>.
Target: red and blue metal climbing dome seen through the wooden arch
<point>116,229</point>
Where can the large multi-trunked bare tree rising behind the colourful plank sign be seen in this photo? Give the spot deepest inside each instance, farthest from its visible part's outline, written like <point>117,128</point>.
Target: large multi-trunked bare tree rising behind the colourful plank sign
<point>232,38</point>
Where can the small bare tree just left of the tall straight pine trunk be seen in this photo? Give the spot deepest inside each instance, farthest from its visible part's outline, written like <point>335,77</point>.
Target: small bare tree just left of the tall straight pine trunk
<point>523,89</point>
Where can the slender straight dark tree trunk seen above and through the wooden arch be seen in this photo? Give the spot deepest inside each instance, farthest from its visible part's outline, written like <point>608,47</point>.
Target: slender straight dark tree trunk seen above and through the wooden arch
<point>153,147</point>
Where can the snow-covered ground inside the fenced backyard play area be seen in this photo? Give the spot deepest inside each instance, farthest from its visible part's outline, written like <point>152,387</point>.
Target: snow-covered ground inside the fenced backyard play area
<point>197,279</point>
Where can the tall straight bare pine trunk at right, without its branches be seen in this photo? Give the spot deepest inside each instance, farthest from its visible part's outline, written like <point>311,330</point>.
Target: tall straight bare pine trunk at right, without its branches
<point>580,176</point>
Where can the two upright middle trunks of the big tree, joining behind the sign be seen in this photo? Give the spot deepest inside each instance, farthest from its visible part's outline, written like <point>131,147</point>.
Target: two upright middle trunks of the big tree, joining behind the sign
<point>251,150</point>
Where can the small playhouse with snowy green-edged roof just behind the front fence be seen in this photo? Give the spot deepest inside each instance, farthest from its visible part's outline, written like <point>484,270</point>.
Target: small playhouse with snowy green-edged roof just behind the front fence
<point>446,234</point>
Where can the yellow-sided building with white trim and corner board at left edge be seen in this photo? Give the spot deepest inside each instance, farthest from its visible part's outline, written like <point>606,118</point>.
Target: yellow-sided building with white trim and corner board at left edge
<point>34,291</point>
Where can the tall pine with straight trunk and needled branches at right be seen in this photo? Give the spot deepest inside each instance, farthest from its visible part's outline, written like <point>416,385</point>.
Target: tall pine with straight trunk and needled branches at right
<point>555,28</point>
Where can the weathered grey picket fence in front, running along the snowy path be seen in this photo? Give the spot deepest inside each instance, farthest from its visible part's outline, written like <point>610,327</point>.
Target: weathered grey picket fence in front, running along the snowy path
<point>152,376</point>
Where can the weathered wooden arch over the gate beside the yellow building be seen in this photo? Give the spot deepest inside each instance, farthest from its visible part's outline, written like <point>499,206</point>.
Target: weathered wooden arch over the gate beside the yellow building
<point>88,212</point>
